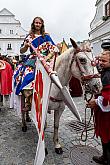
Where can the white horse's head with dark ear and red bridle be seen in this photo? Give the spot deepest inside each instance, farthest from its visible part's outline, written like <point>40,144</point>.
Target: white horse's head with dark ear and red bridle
<point>83,68</point>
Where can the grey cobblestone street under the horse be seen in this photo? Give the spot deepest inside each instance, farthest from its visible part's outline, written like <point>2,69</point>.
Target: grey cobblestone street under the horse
<point>19,148</point>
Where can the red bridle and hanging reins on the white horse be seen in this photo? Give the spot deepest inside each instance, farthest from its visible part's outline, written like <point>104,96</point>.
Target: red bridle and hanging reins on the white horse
<point>85,80</point>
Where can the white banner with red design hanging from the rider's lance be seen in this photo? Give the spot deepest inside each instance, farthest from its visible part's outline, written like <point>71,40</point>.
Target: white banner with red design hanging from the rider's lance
<point>39,108</point>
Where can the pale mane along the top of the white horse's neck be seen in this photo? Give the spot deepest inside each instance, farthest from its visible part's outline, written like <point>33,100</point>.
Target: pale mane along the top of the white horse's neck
<point>63,57</point>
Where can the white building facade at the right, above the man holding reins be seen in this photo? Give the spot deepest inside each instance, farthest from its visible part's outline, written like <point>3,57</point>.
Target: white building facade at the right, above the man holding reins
<point>100,25</point>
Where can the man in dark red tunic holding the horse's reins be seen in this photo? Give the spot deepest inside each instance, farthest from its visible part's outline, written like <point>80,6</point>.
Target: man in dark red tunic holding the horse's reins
<point>101,109</point>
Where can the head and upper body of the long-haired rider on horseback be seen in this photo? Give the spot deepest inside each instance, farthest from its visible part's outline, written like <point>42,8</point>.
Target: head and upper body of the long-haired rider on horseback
<point>39,38</point>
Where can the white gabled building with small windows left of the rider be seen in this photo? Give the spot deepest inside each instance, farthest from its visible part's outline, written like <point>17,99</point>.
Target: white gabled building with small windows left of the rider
<point>11,34</point>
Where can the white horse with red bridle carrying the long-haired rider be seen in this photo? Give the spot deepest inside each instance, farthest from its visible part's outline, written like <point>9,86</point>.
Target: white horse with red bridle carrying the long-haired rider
<point>77,63</point>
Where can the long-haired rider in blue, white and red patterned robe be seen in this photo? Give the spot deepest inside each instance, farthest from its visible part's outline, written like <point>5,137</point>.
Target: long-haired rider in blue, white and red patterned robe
<point>24,73</point>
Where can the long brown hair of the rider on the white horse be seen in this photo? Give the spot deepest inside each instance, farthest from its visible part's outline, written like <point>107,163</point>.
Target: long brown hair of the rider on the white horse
<point>33,30</point>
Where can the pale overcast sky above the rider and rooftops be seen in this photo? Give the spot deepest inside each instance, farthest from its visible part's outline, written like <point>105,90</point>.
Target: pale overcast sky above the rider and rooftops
<point>63,18</point>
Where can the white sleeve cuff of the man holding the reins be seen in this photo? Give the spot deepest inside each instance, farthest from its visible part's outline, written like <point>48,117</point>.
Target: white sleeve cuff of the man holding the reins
<point>99,101</point>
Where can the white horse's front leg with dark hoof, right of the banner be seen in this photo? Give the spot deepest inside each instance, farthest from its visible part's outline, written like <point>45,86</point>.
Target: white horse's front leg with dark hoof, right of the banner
<point>57,115</point>
